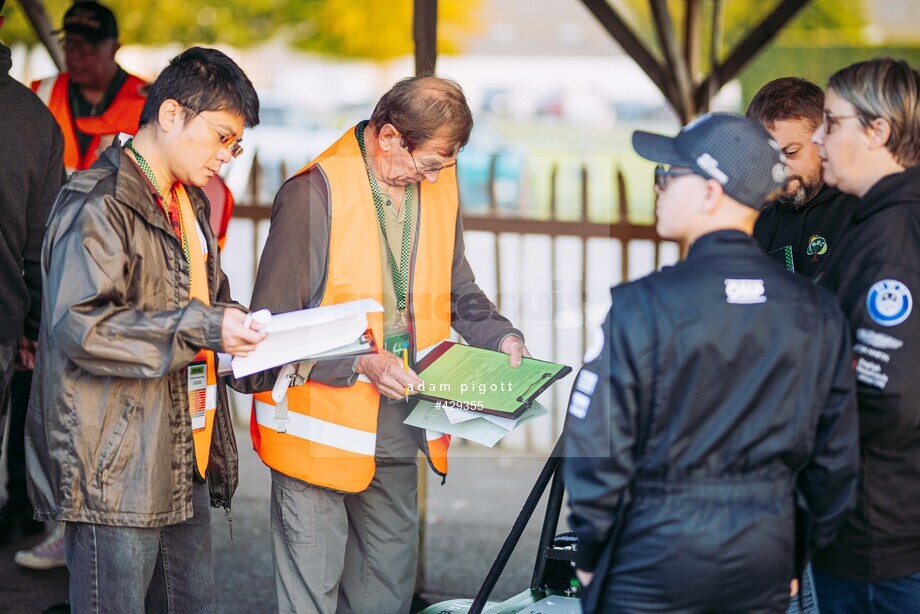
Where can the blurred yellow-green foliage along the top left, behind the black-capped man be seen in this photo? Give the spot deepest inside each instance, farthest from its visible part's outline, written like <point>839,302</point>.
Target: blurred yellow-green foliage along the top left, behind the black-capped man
<point>375,29</point>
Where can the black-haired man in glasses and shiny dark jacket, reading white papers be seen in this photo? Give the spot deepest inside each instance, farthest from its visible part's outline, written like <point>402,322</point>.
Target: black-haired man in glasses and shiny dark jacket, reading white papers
<point>128,433</point>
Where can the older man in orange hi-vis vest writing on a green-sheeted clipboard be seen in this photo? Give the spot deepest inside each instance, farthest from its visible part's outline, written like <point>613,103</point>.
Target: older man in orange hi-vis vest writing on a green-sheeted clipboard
<point>374,216</point>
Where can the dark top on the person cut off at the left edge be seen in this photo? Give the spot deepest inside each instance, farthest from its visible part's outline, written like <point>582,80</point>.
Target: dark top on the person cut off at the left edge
<point>31,173</point>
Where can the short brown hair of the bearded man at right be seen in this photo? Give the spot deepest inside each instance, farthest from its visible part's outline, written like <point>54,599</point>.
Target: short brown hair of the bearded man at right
<point>785,99</point>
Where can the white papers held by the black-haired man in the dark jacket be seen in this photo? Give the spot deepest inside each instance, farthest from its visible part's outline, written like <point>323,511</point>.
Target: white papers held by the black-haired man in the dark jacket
<point>311,334</point>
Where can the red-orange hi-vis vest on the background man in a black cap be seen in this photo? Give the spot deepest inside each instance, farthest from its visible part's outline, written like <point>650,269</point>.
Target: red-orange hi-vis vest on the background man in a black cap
<point>123,115</point>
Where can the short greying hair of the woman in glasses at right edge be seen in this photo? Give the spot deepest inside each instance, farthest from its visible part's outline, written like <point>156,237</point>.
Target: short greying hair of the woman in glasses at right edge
<point>889,89</point>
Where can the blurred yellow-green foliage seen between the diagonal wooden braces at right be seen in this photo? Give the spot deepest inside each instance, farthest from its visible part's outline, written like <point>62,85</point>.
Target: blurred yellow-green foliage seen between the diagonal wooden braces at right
<point>821,22</point>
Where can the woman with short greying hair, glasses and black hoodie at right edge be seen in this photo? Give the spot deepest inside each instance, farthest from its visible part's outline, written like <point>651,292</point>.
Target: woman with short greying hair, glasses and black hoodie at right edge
<point>869,143</point>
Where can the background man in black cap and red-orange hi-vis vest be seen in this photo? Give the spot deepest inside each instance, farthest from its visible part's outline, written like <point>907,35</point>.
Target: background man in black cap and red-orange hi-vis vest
<point>95,99</point>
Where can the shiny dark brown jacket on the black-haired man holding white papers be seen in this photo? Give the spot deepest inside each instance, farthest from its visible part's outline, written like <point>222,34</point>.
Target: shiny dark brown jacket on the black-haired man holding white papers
<point>108,433</point>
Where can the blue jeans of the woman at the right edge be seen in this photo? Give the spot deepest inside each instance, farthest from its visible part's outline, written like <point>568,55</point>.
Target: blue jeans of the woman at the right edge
<point>838,595</point>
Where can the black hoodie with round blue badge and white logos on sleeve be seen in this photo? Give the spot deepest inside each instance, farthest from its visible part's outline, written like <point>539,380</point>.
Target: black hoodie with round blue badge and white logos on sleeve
<point>875,274</point>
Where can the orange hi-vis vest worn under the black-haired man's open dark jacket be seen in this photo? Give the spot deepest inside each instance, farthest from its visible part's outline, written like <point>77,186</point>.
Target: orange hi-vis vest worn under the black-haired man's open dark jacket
<point>203,407</point>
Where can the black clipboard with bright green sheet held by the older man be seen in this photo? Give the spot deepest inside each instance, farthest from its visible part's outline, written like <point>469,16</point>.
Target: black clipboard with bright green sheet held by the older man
<point>475,379</point>
